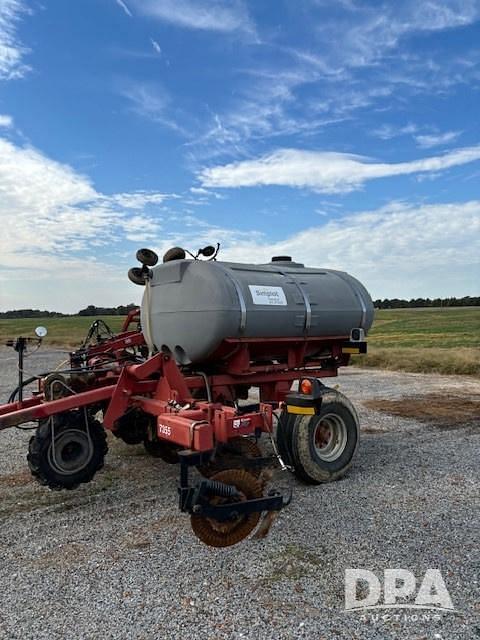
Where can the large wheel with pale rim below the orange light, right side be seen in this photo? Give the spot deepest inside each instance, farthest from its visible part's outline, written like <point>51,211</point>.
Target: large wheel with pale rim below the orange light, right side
<point>321,447</point>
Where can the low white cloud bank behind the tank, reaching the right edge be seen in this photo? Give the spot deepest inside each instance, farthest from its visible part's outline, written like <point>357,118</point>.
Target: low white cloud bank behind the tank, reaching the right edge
<point>398,250</point>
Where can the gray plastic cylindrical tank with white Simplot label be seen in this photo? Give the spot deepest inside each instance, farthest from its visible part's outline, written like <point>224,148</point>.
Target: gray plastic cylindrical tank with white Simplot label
<point>195,305</point>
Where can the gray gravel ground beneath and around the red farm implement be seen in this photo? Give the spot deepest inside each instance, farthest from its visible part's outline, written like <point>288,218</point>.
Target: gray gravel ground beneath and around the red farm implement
<point>116,559</point>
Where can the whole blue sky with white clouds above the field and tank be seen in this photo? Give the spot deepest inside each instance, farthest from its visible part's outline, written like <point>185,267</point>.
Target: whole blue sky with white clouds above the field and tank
<point>346,134</point>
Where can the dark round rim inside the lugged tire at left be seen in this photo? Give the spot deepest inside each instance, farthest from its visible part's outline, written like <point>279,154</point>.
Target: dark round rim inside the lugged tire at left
<point>72,451</point>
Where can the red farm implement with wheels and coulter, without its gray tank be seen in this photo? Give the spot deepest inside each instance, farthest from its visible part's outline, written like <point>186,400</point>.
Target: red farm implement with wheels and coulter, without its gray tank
<point>196,417</point>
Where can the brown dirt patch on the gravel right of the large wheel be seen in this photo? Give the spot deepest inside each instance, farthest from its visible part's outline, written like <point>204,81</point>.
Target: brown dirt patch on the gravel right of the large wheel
<point>442,410</point>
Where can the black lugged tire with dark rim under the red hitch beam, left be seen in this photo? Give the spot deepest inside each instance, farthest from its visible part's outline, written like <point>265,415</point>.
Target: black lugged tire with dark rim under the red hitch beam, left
<point>77,455</point>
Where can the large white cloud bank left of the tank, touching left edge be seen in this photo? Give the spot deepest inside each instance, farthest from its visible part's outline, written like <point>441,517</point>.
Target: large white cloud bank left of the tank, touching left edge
<point>56,227</point>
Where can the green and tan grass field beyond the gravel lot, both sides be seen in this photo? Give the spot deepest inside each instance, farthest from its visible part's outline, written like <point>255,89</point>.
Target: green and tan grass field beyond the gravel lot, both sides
<point>442,340</point>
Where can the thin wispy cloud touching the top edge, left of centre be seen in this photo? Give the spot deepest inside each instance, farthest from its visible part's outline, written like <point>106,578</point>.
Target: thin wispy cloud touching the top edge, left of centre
<point>213,15</point>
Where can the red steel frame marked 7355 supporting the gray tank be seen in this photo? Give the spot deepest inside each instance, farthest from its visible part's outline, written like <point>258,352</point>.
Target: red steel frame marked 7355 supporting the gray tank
<point>160,388</point>
